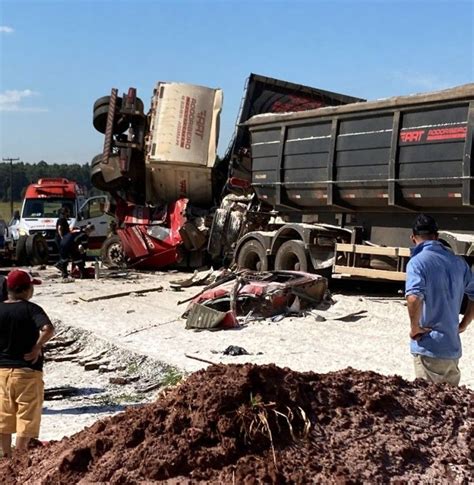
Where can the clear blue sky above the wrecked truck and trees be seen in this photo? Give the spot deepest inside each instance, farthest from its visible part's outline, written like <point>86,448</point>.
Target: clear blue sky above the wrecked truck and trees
<point>58,57</point>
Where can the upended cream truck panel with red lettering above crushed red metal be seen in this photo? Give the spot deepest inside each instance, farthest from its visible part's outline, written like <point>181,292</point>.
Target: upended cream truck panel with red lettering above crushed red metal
<point>183,142</point>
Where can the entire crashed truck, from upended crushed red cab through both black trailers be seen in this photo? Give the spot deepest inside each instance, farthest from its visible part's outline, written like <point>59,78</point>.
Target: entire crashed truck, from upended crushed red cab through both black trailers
<point>312,180</point>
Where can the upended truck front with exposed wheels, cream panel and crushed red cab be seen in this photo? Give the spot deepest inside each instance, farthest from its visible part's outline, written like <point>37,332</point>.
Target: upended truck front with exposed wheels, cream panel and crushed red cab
<point>158,168</point>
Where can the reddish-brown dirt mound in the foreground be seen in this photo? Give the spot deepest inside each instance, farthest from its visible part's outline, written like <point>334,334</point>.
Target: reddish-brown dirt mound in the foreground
<point>263,424</point>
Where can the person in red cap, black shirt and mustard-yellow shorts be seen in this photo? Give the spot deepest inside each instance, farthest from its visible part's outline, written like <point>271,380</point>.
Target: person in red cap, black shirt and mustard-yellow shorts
<point>24,329</point>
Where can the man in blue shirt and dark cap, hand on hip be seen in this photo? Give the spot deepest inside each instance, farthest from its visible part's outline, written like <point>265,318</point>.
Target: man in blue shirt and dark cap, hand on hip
<point>436,283</point>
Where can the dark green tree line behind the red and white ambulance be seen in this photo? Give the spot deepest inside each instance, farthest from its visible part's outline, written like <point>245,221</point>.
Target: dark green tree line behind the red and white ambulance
<point>27,173</point>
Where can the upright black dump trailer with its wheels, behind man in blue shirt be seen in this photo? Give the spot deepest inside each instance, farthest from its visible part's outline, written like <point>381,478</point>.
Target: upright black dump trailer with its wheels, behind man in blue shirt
<point>344,184</point>
